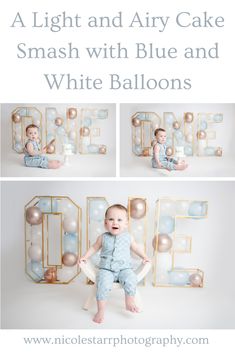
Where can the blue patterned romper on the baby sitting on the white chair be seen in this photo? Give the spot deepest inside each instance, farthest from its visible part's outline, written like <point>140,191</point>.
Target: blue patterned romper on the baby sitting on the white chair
<point>115,265</point>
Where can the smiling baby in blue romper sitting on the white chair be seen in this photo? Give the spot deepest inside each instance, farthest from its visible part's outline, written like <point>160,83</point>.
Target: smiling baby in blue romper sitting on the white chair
<point>115,260</point>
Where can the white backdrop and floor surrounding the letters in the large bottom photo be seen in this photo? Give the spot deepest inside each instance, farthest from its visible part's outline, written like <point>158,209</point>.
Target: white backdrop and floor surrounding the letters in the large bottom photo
<point>29,305</point>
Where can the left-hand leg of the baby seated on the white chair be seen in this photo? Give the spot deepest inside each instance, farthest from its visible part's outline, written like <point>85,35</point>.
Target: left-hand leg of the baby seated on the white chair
<point>104,285</point>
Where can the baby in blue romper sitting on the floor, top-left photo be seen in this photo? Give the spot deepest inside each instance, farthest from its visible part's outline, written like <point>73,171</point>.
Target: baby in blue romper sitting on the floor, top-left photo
<point>33,157</point>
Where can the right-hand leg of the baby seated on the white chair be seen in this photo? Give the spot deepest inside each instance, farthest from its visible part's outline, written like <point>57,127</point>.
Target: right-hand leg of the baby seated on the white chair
<point>128,280</point>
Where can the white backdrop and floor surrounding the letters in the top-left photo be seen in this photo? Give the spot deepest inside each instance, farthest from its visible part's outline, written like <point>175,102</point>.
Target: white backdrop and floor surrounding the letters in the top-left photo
<point>80,164</point>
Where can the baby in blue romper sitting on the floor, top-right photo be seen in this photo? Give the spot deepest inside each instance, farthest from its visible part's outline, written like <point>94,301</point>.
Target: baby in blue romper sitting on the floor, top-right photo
<point>160,159</point>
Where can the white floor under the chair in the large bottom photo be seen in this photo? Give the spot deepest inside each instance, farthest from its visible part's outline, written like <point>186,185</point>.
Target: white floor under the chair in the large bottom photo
<point>35,306</point>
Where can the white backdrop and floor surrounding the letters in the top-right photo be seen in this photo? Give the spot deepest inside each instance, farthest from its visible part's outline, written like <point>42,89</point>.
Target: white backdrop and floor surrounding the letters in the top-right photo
<point>132,165</point>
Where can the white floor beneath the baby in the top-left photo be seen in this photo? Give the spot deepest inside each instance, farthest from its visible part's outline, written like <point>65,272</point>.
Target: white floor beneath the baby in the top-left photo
<point>79,166</point>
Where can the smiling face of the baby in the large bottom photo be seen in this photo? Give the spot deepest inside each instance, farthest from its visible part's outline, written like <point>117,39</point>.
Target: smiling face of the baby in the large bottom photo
<point>116,221</point>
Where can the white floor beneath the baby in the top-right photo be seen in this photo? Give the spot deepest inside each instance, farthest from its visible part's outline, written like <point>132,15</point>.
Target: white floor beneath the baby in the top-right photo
<point>198,167</point>
